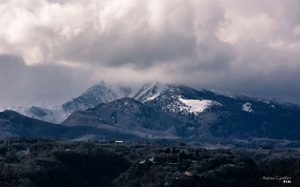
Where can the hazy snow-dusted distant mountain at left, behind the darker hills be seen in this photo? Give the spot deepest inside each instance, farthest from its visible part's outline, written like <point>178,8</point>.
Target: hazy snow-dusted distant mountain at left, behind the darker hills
<point>99,93</point>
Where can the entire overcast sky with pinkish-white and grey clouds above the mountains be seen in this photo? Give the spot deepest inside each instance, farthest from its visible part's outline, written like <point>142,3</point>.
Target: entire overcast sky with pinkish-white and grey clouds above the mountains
<point>54,49</point>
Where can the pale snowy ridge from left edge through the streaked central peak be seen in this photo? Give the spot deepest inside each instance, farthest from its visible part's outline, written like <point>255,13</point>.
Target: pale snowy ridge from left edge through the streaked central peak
<point>93,96</point>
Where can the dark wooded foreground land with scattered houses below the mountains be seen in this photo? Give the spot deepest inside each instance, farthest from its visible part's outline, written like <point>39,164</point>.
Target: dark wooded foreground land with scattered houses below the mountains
<point>62,163</point>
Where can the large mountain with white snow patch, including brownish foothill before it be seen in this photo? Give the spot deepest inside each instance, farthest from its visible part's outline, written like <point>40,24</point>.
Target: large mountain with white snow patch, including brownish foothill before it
<point>183,112</point>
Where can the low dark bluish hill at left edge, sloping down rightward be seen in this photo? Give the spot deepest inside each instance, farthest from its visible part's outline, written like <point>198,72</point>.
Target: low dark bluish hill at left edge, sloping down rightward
<point>15,125</point>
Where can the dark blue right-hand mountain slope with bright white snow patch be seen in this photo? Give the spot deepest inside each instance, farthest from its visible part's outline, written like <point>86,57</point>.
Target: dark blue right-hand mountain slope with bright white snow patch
<point>206,113</point>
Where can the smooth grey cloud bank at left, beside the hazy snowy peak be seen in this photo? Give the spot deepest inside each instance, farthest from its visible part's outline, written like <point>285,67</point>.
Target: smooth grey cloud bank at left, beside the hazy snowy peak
<point>21,84</point>
